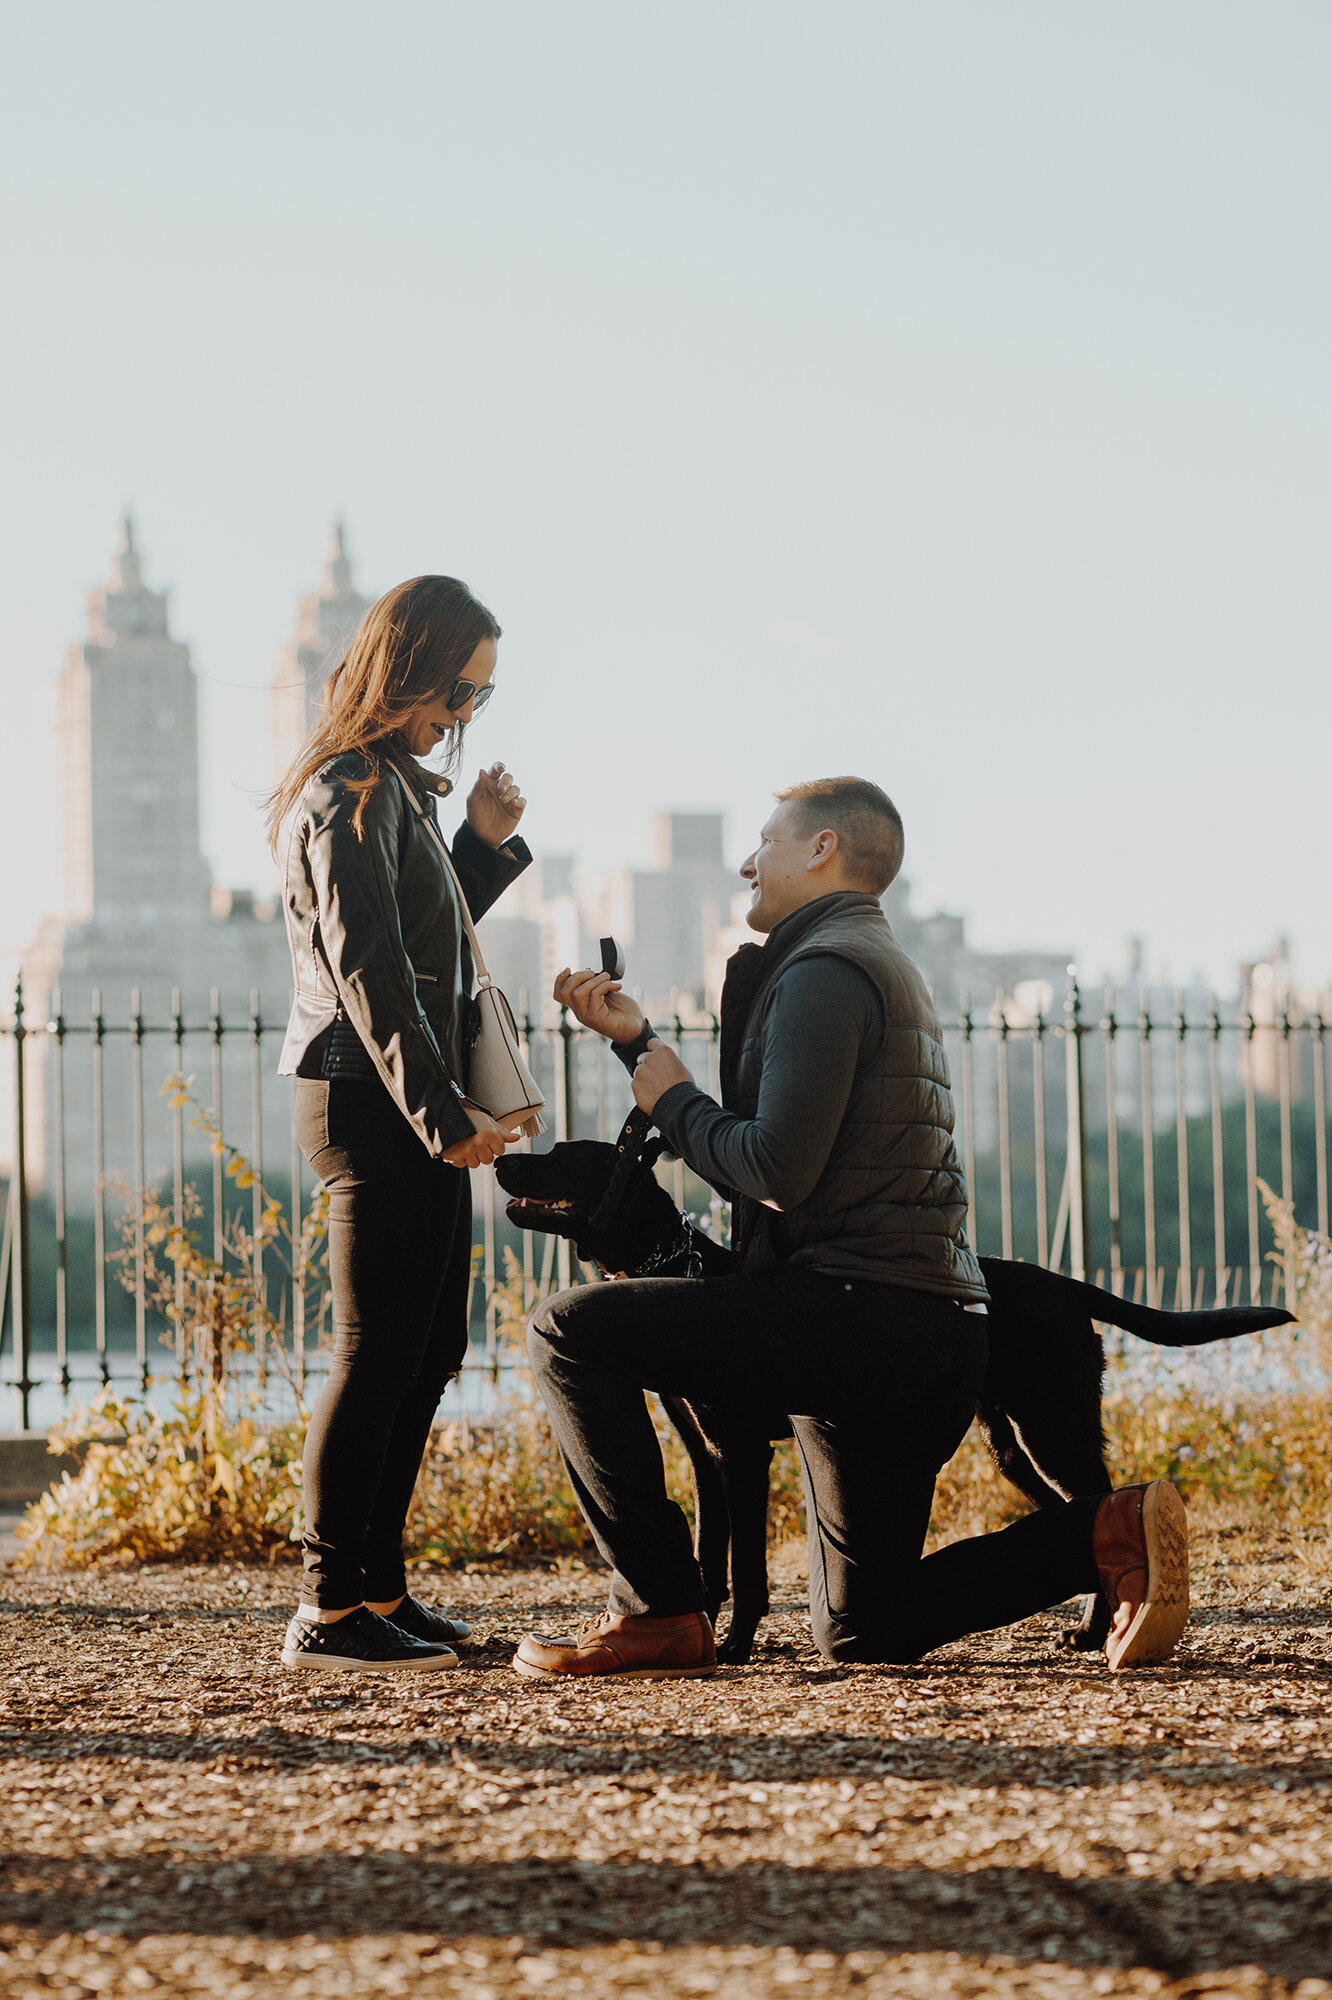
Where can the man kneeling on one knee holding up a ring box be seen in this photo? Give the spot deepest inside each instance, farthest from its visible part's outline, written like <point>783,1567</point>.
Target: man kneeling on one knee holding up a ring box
<point>853,1299</point>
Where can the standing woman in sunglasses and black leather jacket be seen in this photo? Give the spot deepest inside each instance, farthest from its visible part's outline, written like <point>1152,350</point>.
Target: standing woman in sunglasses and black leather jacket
<point>377,1041</point>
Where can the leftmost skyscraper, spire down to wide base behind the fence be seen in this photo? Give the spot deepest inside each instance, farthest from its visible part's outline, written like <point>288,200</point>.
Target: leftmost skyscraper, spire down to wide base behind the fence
<point>139,913</point>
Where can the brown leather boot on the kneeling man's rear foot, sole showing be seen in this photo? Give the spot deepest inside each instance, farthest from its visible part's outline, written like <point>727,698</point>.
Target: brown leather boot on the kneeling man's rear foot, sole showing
<point>1141,1549</point>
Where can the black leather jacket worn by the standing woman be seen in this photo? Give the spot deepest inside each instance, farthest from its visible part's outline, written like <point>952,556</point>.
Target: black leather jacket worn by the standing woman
<point>375,931</point>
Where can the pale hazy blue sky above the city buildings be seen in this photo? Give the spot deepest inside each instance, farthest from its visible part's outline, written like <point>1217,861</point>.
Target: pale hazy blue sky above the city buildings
<point>933,391</point>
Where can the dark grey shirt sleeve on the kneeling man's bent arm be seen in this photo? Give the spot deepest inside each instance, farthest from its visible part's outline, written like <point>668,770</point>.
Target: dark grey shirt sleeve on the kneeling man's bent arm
<point>825,1017</point>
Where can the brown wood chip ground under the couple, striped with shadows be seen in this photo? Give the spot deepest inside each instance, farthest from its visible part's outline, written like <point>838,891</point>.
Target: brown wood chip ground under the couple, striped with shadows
<point>183,1817</point>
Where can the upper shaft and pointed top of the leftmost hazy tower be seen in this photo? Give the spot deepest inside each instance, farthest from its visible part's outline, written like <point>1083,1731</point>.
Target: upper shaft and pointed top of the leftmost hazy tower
<point>129,739</point>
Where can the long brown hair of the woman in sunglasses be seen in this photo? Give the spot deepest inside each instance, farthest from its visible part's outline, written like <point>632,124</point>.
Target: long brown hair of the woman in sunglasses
<point>411,647</point>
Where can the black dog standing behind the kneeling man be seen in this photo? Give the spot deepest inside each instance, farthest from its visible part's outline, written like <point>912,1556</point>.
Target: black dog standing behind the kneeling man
<point>1039,1407</point>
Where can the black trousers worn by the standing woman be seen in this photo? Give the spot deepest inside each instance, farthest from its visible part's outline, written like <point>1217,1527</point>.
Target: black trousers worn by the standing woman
<point>399,1263</point>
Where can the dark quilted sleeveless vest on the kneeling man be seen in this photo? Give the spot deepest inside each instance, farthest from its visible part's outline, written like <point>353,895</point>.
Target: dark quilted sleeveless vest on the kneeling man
<point>891,1203</point>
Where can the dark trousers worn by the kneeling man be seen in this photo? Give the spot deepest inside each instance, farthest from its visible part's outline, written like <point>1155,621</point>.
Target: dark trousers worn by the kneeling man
<point>891,1375</point>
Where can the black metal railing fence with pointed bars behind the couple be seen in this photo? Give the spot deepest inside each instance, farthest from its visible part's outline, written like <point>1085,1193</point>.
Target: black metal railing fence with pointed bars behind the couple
<point>1121,1141</point>
